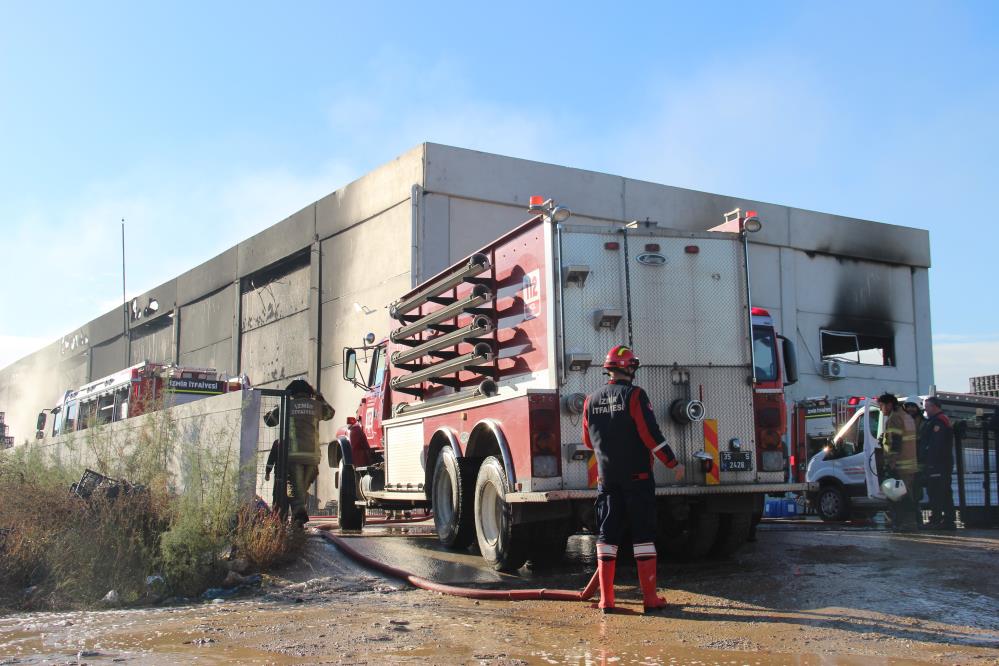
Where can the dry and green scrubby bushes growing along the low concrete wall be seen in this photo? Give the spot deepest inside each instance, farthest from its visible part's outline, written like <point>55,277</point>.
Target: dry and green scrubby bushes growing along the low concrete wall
<point>70,552</point>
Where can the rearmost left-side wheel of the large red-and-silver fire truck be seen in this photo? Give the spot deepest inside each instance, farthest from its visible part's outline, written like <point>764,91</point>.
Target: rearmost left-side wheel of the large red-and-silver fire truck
<point>502,544</point>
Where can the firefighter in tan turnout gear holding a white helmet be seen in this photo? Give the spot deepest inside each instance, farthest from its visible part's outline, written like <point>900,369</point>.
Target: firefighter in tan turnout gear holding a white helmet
<point>898,441</point>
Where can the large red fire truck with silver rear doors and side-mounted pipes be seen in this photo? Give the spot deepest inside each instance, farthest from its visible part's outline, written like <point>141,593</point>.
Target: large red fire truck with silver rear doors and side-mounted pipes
<point>473,405</point>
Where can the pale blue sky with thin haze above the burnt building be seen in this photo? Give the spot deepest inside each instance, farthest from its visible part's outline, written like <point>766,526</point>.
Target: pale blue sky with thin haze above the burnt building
<point>218,119</point>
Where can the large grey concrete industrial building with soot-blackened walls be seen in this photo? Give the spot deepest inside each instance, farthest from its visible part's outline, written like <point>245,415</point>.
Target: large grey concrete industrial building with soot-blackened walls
<point>283,304</point>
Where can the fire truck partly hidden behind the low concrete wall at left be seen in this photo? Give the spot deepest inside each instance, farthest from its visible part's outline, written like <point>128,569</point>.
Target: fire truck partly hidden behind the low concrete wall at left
<point>136,390</point>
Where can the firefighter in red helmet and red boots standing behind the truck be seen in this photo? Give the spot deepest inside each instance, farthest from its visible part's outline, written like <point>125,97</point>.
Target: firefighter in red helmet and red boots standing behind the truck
<point>618,424</point>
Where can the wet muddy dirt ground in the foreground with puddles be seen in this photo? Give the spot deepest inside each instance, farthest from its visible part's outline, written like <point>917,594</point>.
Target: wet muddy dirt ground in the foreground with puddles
<point>802,594</point>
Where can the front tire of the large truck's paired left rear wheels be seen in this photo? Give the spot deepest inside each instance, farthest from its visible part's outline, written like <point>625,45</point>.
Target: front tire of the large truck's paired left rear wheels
<point>452,501</point>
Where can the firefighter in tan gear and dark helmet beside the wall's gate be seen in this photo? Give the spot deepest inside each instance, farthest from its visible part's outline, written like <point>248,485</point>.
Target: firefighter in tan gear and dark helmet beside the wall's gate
<point>306,408</point>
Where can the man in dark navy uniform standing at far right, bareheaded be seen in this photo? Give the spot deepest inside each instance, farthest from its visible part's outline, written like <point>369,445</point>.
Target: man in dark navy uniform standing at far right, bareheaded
<point>937,436</point>
